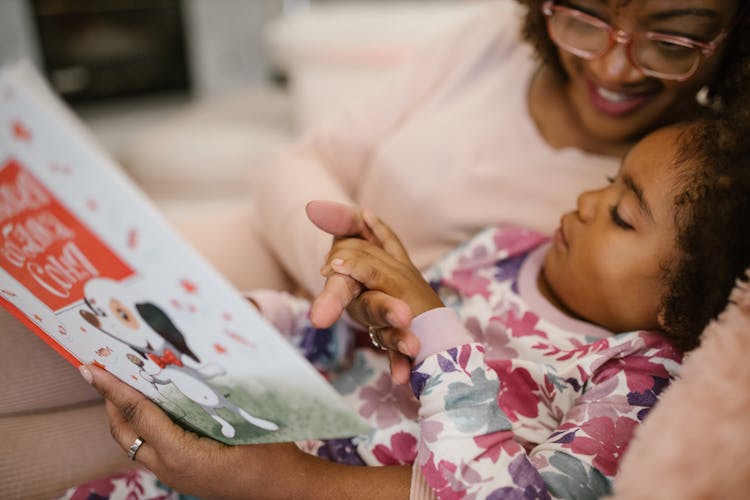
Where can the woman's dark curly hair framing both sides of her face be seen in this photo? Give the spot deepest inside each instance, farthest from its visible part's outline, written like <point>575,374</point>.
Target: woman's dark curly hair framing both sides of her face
<point>728,84</point>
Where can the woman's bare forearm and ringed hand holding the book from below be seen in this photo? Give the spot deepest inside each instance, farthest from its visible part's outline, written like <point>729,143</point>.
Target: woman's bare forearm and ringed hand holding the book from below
<point>206,468</point>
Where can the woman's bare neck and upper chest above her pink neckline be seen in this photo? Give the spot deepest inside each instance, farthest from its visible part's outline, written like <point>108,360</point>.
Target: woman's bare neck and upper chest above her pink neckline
<point>557,121</point>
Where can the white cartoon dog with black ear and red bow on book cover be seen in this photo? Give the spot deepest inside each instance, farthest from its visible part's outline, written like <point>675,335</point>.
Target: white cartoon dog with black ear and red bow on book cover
<point>148,330</point>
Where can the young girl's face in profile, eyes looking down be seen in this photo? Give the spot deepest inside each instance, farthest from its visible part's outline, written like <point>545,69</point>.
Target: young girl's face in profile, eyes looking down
<point>607,261</point>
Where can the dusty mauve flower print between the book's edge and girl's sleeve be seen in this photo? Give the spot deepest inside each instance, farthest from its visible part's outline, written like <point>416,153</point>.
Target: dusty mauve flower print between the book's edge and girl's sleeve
<point>390,404</point>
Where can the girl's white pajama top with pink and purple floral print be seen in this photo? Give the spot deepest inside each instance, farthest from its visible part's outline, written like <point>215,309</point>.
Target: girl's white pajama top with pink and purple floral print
<point>513,399</point>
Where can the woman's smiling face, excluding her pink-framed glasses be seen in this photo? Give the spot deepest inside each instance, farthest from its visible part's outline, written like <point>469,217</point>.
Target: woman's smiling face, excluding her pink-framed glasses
<point>614,100</point>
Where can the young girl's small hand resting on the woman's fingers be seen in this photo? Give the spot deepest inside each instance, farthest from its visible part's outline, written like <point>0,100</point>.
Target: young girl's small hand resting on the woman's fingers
<point>383,266</point>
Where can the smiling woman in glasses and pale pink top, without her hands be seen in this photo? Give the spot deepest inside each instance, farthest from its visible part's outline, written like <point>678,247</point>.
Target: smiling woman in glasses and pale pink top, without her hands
<point>501,126</point>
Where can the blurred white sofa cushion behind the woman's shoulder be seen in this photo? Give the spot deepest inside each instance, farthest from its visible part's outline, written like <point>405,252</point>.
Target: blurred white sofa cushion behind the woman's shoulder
<point>332,51</point>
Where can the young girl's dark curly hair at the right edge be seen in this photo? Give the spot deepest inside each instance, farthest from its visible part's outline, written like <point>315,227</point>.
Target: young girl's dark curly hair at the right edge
<point>712,222</point>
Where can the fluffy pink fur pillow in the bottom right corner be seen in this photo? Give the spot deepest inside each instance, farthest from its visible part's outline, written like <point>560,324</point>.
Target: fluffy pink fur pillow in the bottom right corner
<point>696,444</point>
